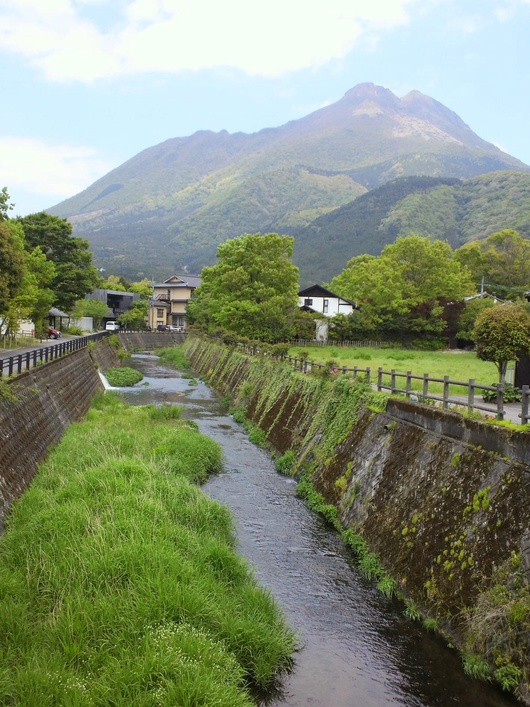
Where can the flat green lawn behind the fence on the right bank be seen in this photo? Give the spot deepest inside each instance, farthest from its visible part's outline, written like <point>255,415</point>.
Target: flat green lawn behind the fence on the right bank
<point>459,366</point>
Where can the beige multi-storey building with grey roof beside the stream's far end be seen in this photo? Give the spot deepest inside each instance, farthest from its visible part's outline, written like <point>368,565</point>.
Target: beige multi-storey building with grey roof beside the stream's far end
<point>170,300</point>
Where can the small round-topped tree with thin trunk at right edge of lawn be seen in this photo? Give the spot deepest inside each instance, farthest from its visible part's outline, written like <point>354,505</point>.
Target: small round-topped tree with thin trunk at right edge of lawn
<point>502,334</point>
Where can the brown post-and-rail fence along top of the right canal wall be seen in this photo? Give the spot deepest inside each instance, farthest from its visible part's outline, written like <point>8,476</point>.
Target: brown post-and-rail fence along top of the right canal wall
<point>391,381</point>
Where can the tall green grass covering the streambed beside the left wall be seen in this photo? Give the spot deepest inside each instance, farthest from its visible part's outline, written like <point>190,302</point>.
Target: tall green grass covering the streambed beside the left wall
<point>119,584</point>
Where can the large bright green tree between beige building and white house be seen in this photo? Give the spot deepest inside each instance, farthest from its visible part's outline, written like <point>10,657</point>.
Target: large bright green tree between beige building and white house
<point>252,290</point>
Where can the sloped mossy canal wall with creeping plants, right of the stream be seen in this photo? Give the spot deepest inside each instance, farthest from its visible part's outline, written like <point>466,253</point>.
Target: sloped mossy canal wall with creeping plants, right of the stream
<point>443,500</point>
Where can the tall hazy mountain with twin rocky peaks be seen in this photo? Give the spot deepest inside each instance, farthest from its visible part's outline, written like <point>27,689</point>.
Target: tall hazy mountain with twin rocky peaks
<point>167,208</point>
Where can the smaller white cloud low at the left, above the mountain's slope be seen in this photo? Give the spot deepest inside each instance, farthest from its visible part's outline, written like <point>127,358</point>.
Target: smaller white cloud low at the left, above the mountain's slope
<point>53,172</point>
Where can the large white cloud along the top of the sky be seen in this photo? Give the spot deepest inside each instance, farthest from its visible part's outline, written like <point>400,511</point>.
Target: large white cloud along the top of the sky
<point>265,39</point>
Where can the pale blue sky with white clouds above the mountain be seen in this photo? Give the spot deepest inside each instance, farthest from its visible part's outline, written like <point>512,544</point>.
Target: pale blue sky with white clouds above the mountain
<point>87,84</point>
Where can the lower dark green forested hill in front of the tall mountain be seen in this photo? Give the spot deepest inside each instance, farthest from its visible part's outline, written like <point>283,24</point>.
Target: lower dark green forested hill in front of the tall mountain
<point>454,210</point>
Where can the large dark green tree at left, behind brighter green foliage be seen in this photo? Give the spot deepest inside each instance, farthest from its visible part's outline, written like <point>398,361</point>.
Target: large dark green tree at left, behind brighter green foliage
<point>75,275</point>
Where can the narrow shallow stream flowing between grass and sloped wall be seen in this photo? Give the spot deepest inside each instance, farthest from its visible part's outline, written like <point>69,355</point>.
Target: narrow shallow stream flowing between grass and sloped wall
<point>356,646</point>
